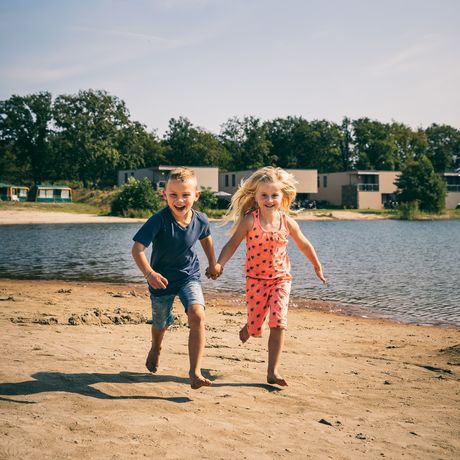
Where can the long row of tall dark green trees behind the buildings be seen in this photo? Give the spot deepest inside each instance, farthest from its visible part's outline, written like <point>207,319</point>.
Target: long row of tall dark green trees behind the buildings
<point>87,137</point>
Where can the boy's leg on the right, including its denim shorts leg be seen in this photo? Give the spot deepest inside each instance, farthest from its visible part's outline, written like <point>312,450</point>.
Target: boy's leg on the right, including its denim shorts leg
<point>191,296</point>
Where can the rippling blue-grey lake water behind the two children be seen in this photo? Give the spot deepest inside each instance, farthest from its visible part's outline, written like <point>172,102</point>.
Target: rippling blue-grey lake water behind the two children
<point>408,271</point>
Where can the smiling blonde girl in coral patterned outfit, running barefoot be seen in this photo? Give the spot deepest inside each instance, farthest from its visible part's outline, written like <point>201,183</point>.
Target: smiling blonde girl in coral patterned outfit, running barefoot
<point>258,210</point>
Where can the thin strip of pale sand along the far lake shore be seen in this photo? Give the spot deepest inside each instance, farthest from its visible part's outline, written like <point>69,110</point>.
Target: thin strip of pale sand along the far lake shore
<point>26,216</point>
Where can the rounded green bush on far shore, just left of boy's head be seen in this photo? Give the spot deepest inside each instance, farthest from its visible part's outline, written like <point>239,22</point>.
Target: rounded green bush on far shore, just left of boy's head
<point>136,199</point>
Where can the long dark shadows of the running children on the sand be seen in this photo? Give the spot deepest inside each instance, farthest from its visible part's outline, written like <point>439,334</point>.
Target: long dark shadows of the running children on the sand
<point>82,384</point>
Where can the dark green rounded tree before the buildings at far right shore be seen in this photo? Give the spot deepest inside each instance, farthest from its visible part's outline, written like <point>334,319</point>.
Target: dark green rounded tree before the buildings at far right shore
<point>418,182</point>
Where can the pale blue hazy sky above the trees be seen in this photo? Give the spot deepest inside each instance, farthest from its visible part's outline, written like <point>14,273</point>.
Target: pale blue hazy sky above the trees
<point>211,60</point>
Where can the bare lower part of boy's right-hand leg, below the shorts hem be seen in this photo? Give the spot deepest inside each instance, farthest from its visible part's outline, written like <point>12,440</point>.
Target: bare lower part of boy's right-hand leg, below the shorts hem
<point>196,343</point>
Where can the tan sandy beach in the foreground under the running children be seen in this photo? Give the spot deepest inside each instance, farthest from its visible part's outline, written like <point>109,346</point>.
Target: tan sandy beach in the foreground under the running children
<point>73,383</point>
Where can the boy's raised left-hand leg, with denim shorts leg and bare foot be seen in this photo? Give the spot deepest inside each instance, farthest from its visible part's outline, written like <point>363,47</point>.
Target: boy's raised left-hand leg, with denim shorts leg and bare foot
<point>162,318</point>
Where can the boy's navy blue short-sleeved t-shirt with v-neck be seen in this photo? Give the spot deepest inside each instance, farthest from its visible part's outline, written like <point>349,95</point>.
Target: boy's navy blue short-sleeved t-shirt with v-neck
<point>173,247</point>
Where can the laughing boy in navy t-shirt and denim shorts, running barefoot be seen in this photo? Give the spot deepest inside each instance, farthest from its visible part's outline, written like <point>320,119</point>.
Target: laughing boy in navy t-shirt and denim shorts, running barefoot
<point>174,267</point>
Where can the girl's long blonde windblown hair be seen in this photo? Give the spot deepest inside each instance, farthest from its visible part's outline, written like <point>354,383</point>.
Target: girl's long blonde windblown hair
<point>244,200</point>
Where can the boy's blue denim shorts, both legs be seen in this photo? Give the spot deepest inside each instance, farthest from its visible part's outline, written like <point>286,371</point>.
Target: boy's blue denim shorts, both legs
<point>162,306</point>
